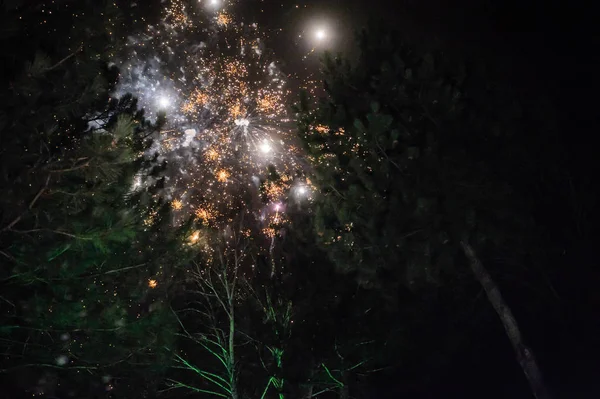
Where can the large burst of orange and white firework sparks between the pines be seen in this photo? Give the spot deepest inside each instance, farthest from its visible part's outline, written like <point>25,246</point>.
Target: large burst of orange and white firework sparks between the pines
<point>226,104</point>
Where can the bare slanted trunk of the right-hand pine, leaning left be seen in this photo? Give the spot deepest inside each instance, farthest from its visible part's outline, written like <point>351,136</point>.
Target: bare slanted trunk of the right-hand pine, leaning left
<point>524,354</point>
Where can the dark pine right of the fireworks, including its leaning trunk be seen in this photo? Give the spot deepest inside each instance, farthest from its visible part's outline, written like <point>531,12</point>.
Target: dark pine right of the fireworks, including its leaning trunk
<point>411,186</point>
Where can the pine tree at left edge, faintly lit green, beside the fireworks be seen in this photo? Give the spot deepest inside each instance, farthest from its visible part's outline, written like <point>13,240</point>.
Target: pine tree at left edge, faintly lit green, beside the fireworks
<point>80,288</point>
